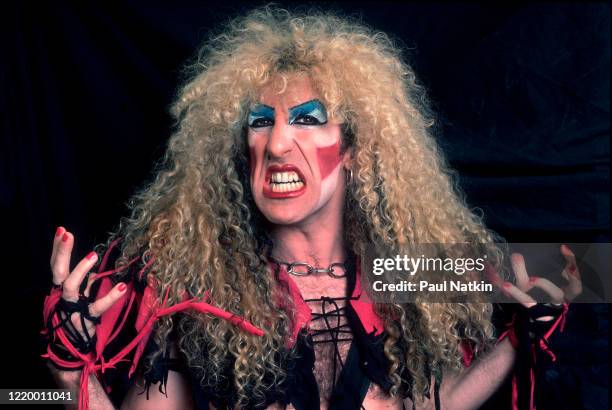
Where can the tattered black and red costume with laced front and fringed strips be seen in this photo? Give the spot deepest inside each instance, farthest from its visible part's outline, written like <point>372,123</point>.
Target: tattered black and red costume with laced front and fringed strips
<point>364,364</point>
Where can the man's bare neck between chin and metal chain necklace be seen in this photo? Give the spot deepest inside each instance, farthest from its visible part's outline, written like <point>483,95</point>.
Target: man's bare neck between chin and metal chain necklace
<point>318,241</point>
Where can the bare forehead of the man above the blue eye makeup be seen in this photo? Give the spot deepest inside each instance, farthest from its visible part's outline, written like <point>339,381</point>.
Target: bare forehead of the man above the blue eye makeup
<point>288,91</point>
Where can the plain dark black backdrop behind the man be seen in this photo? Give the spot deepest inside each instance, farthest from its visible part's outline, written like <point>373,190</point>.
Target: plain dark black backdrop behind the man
<point>521,92</point>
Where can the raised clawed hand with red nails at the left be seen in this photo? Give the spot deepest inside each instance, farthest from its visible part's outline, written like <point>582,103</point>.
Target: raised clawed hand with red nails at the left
<point>77,312</point>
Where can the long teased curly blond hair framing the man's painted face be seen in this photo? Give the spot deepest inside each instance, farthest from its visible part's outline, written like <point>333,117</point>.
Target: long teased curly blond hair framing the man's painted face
<point>199,221</point>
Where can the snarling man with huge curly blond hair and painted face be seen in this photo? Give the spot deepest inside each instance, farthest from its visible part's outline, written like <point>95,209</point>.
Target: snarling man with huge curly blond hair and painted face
<point>301,141</point>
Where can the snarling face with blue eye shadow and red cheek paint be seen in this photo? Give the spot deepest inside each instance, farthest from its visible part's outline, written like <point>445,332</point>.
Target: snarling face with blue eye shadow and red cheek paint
<point>296,165</point>
